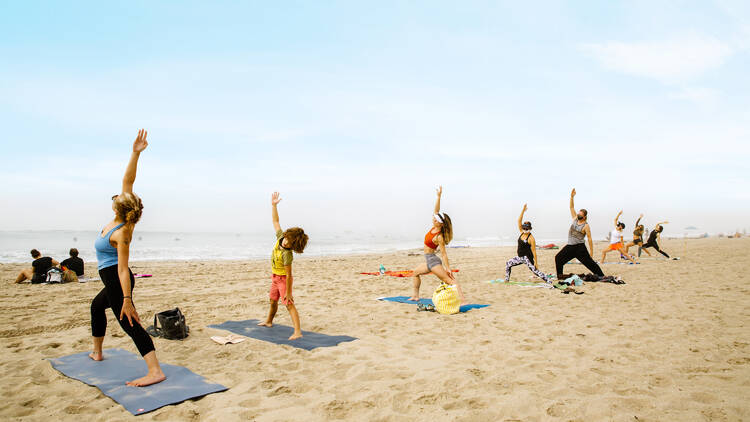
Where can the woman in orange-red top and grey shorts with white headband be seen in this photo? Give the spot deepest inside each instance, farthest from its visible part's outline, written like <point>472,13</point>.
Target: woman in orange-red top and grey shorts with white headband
<point>438,237</point>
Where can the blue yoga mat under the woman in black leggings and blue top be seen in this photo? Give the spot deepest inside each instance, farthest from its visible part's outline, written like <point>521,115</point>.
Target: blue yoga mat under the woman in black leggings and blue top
<point>119,366</point>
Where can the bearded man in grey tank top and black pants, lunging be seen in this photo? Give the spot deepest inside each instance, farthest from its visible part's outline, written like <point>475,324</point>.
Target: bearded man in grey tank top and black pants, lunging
<point>575,247</point>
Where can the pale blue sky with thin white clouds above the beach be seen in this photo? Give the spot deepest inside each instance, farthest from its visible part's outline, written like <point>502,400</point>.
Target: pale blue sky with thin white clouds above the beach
<point>356,111</point>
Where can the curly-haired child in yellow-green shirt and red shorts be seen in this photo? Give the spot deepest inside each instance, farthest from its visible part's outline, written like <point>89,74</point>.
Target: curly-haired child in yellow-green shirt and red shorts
<point>282,280</point>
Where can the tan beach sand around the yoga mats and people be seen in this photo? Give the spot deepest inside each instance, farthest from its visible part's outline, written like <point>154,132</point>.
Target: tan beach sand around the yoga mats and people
<point>671,344</point>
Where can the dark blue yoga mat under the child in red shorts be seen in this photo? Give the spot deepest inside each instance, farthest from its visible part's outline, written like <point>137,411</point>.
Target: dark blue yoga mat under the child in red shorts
<point>279,334</point>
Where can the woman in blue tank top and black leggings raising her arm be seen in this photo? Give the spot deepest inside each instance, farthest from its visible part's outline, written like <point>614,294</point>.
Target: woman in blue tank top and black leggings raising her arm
<point>112,253</point>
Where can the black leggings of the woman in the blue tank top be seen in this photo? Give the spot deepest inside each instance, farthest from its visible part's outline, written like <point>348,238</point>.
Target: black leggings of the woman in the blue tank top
<point>111,297</point>
